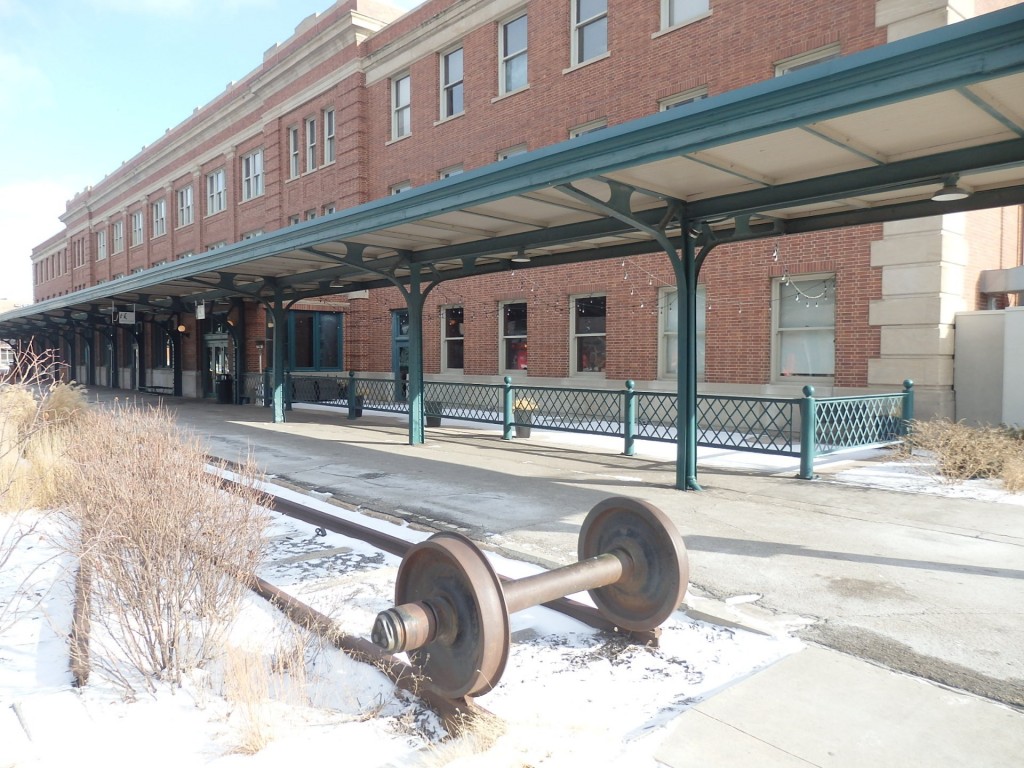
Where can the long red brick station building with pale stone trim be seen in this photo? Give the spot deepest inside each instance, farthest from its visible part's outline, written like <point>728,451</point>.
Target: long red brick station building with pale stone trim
<point>362,103</point>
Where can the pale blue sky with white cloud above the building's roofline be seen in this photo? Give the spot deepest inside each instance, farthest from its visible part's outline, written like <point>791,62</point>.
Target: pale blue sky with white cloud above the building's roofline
<point>86,84</point>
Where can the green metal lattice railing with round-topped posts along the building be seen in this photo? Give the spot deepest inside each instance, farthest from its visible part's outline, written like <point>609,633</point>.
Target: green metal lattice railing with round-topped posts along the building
<point>804,428</point>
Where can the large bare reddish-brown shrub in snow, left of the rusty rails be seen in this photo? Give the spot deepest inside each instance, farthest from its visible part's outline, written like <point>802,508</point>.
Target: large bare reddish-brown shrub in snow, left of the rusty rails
<point>170,549</point>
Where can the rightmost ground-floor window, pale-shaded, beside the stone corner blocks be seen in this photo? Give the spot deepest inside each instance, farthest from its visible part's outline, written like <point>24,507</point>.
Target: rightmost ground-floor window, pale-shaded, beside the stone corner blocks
<point>805,327</point>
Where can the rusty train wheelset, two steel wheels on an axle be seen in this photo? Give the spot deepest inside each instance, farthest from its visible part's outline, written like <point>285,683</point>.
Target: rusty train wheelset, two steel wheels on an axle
<point>453,612</point>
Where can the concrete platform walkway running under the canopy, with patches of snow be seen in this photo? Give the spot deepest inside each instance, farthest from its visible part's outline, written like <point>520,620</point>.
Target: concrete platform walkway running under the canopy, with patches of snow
<point>884,585</point>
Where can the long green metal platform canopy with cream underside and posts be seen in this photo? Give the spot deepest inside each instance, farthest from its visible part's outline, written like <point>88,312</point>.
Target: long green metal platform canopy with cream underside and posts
<point>865,139</point>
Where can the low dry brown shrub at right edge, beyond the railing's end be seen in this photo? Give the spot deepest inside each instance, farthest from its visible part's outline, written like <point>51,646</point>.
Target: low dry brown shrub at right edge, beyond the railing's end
<point>964,453</point>
